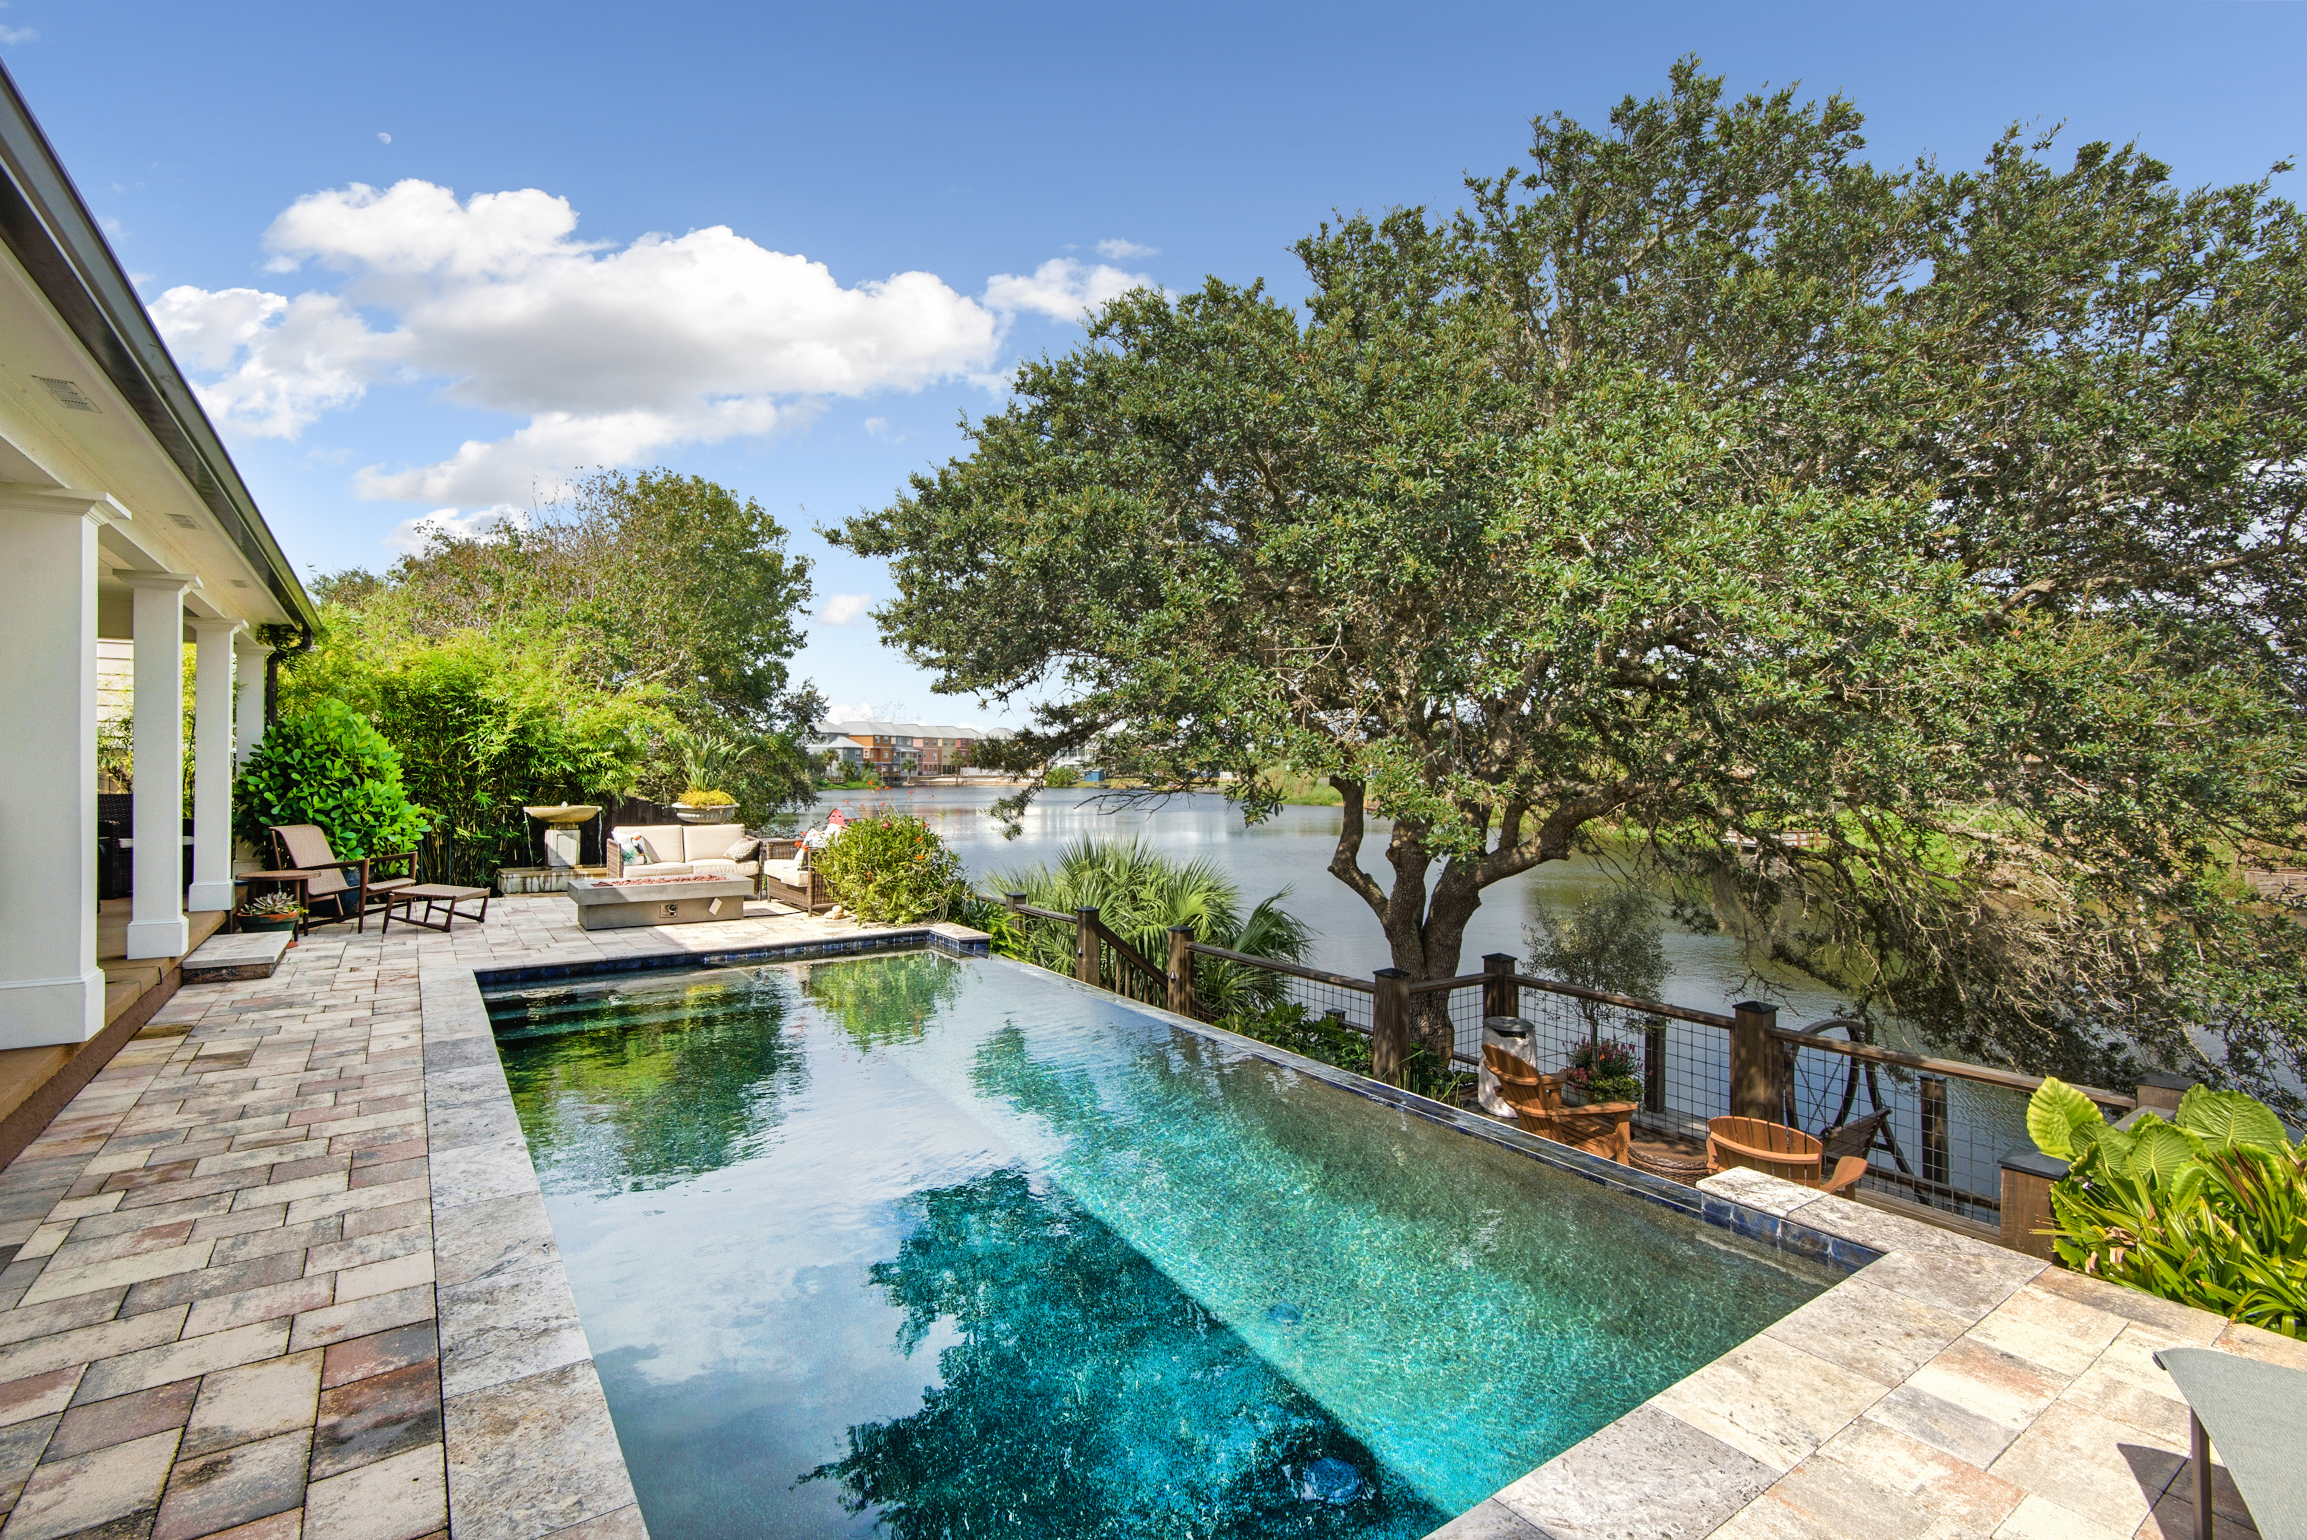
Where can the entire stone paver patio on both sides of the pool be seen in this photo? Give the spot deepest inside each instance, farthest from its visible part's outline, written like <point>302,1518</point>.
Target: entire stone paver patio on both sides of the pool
<point>246,1260</point>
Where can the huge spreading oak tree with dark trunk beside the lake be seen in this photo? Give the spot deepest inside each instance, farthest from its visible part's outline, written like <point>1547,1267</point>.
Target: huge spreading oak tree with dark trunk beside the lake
<point>1904,557</point>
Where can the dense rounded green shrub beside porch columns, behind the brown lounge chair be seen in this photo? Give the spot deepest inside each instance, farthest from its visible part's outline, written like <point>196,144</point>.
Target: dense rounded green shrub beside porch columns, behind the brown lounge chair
<point>333,769</point>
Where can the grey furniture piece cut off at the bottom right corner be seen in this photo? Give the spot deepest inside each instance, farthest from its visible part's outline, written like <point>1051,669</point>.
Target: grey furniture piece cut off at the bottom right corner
<point>2253,1410</point>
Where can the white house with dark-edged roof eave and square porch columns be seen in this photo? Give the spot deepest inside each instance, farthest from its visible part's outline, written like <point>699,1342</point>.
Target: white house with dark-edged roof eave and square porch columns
<point>121,518</point>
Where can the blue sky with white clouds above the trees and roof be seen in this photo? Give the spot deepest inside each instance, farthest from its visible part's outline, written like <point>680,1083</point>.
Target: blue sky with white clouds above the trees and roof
<point>359,342</point>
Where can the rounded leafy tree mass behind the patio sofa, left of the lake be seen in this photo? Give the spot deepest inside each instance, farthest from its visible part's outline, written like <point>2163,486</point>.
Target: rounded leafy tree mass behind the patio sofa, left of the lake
<point>576,656</point>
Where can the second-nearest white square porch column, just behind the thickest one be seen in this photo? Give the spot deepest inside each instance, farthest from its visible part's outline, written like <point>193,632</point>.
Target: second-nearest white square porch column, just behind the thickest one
<point>158,909</point>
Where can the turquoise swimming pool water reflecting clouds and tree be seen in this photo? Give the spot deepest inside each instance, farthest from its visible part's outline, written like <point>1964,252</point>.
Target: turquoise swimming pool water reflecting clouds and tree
<point>926,1248</point>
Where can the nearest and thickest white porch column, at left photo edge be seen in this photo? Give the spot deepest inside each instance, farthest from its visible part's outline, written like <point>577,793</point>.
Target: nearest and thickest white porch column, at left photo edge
<point>50,983</point>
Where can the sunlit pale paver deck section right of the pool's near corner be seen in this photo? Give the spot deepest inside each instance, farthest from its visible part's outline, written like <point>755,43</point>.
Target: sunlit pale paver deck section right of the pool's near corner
<point>1951,1389</point>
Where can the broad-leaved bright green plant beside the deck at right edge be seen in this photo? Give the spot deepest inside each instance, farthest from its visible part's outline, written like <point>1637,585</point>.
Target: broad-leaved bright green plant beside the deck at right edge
<point>2207,1211</point>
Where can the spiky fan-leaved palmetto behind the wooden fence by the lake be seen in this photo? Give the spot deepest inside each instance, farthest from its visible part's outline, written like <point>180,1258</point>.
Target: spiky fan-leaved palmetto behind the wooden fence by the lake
<point>1141,893</point>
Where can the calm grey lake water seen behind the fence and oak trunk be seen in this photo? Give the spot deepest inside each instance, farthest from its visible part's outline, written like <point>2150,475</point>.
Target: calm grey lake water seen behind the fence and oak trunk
<point>1293,852</point>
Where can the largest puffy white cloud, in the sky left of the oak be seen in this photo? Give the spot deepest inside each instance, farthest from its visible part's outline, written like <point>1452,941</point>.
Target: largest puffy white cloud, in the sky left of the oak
<point>610,354</point>
